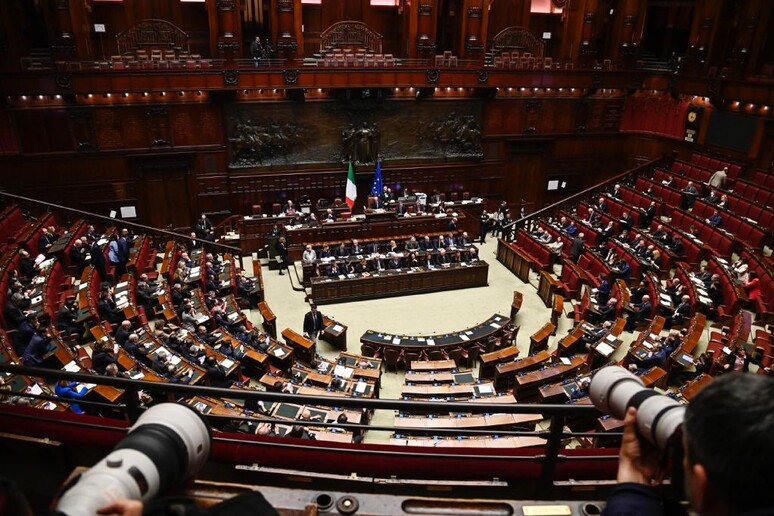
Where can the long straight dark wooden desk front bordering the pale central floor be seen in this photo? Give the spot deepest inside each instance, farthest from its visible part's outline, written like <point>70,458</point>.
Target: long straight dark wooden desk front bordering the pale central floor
<point>391,283</point>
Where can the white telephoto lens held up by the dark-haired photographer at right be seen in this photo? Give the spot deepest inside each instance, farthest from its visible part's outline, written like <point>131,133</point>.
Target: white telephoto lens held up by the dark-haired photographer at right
<point>614,389</point>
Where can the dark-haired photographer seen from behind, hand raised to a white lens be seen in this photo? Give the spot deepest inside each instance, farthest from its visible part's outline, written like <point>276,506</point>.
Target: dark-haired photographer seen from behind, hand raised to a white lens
<point>727,438</point>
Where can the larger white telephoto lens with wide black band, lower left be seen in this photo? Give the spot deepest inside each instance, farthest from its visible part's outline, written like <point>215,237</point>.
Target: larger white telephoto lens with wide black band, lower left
<point>168,444</point>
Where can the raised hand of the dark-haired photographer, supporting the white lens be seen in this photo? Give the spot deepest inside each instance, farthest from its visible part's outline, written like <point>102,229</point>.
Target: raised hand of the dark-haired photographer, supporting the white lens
<point>639,461</point>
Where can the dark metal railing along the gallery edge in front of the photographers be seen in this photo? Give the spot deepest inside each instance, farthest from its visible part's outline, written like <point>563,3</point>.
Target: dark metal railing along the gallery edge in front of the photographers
<point>548,456</point>
